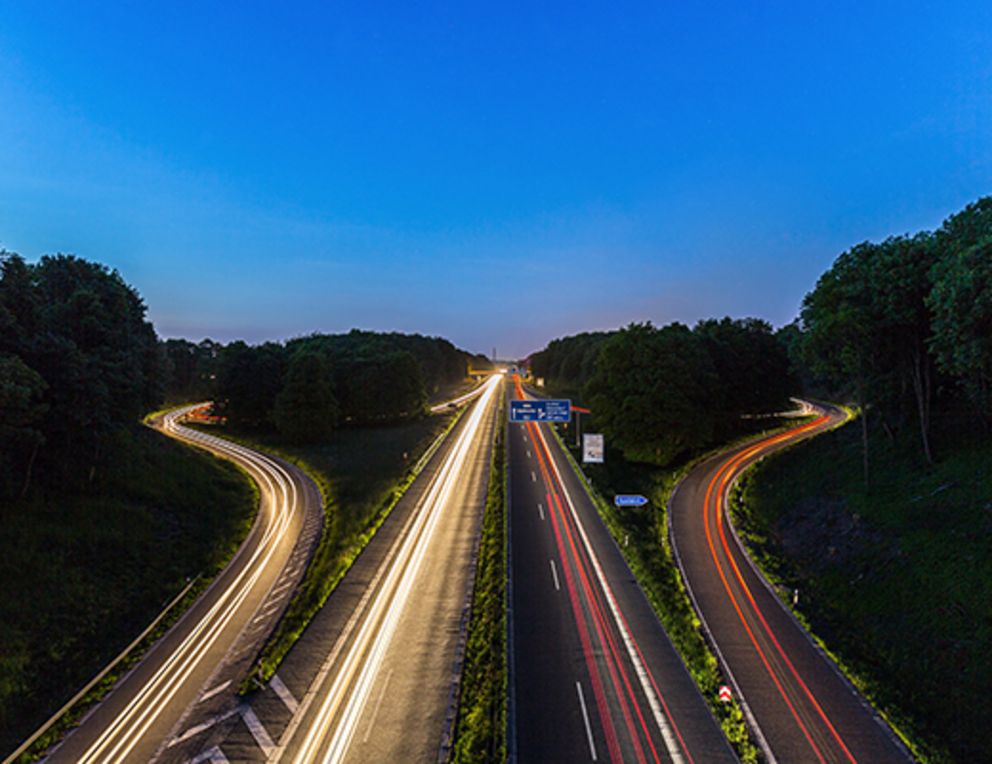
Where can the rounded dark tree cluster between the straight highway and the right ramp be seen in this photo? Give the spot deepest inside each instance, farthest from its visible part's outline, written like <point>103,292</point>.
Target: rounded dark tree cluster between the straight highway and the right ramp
<point>659,393</point>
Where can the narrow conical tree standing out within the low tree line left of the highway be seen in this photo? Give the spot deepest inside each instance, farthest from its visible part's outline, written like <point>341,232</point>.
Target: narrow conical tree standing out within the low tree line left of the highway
<point>306,409</point>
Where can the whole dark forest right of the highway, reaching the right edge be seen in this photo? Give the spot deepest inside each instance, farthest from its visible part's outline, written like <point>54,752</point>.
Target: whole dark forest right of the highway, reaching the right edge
<point>901,328</point>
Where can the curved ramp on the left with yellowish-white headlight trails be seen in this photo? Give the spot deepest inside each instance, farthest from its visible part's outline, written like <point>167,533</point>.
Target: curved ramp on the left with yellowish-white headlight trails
<point>212,644</point>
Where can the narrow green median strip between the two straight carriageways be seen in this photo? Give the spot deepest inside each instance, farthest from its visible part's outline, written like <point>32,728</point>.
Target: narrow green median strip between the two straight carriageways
<point>480,729</point>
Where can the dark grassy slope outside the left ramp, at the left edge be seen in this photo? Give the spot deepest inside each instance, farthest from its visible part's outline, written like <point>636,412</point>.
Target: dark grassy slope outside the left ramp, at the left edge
<point>94,568</point>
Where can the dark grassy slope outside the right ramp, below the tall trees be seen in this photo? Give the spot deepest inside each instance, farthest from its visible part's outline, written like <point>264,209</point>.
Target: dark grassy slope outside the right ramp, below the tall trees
<point>894,578</point>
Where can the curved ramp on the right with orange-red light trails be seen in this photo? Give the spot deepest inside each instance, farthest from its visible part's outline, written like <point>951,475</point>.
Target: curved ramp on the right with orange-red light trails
<point>795,698</point>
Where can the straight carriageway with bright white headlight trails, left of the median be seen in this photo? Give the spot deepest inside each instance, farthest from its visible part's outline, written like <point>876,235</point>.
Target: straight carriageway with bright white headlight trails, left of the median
<point>372,677</point>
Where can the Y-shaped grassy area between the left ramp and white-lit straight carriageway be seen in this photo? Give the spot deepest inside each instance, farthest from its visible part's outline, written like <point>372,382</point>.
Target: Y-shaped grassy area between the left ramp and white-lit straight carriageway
<point>362,473</point>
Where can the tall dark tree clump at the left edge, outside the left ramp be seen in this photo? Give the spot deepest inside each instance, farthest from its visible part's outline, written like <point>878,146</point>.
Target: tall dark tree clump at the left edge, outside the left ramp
<point>78,361</point>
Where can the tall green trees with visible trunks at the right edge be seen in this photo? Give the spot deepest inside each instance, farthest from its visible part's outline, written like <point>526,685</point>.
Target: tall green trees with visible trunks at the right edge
<point>905,325</point>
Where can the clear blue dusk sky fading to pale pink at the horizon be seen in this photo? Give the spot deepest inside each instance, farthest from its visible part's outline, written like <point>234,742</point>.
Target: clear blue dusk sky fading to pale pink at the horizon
<point>500,175</point>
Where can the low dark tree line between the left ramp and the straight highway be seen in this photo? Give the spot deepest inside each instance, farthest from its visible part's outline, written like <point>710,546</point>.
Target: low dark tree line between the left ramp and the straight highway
<point>309,385</point>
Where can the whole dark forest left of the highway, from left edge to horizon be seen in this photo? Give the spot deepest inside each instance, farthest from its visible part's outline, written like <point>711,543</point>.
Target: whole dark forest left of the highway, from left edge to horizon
<point>80,364</point>
